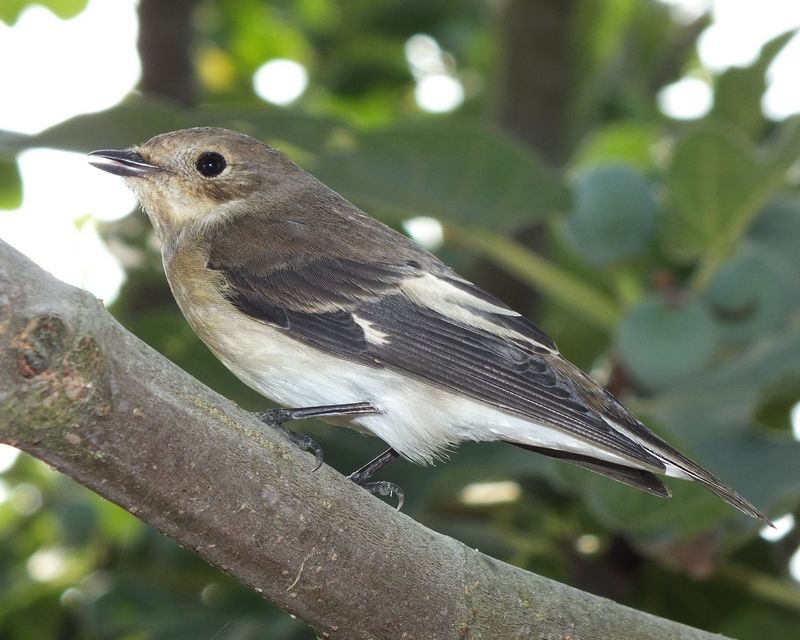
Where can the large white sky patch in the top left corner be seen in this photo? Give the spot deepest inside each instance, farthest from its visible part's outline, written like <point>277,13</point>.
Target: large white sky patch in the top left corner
<point>55,69</point>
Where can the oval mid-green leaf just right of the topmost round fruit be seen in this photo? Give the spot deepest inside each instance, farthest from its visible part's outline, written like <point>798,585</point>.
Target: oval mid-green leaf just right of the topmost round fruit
<point>710,179</point>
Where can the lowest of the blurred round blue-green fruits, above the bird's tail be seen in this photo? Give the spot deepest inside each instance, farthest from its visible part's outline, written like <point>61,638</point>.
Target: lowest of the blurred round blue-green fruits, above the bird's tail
<point>661,342</point>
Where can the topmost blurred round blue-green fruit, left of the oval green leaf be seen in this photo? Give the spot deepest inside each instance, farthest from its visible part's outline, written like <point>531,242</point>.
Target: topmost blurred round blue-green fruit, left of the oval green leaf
<point>613,214</point>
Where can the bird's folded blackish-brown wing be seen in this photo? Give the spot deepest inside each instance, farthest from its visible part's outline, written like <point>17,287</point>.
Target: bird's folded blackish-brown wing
<point>512,374</point>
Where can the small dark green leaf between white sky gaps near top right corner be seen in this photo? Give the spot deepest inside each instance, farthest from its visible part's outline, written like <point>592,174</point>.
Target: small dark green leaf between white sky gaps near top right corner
<point>737,98</point>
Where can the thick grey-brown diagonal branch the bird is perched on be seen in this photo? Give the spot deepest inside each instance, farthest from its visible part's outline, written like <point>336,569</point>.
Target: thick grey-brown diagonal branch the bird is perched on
<point>80,392</point>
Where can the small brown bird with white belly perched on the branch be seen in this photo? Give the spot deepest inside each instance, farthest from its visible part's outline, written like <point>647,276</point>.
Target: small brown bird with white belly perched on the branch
<point>332,314</point>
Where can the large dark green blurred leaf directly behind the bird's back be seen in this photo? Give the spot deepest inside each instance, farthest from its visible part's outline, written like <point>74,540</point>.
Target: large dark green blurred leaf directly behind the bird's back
<point>462,173</point>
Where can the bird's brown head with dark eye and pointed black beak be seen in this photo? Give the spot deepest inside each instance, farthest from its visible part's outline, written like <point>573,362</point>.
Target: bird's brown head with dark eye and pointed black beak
<point>198,176</point>
